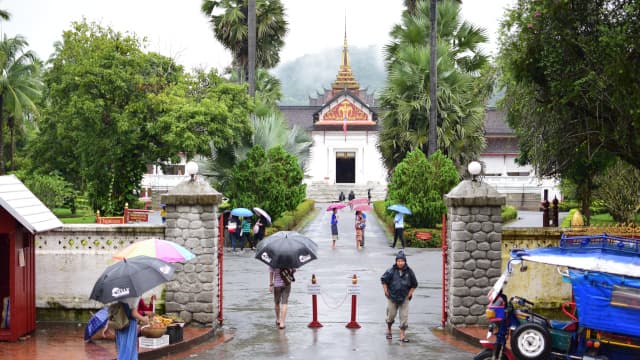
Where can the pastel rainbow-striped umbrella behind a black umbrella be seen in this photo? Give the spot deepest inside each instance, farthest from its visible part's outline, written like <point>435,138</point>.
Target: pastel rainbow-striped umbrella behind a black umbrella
<point>156,248</point>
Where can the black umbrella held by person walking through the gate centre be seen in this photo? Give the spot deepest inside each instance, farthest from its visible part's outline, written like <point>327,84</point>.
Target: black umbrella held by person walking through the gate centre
<point>286,249</point>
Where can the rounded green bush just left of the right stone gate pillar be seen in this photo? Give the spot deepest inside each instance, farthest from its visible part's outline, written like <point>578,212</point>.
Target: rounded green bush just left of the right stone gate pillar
<point>420,184</point>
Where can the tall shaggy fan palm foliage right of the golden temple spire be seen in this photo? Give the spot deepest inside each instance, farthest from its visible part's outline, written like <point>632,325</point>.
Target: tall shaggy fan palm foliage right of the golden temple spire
<point>464,84</point>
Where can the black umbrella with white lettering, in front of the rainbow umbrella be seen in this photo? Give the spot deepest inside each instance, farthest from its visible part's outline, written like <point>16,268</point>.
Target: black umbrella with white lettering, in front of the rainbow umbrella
<point>131,278</point>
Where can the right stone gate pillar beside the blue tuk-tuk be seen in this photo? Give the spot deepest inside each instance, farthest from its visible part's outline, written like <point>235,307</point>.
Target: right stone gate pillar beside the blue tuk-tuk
<point>474,233</point>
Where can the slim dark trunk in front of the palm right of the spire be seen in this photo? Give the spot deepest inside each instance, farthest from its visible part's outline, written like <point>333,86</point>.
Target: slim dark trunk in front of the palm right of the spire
<point>433,78</point>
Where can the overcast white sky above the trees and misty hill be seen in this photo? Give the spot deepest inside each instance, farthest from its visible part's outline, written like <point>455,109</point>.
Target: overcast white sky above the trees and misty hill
<point>178,29</point>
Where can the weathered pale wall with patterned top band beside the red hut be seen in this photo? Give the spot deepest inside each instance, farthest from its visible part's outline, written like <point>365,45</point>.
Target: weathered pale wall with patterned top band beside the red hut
<point>69,260</point>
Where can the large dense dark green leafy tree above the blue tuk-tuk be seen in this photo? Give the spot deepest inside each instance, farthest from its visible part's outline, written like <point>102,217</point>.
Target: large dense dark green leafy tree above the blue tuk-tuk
<point>569,69</point>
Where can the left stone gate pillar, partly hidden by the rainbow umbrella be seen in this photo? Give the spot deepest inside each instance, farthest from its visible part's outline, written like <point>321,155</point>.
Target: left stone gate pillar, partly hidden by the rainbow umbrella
<point>192,222</point>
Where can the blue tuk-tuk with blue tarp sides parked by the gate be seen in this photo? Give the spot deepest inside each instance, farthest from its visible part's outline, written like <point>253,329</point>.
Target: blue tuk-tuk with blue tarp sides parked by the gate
<point>604,272</point>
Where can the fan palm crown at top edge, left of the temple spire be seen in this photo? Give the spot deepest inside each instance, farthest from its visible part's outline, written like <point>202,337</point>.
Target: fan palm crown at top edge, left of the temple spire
<point>231,30</point>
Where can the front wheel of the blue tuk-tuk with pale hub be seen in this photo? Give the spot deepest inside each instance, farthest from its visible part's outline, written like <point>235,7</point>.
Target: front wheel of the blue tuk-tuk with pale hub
<point>531,342</point>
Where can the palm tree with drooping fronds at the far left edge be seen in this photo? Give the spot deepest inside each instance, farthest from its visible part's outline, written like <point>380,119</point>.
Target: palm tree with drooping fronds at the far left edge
<point>20,84</point>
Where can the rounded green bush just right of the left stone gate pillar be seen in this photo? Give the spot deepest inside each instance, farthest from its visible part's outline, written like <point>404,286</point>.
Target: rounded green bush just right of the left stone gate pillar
<point>270,180</point>
